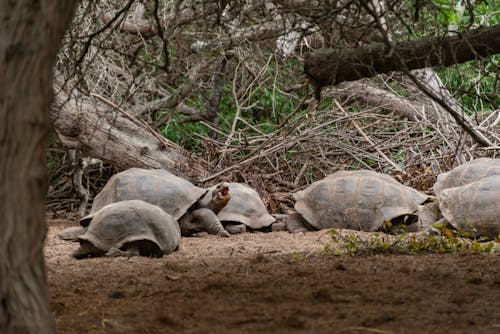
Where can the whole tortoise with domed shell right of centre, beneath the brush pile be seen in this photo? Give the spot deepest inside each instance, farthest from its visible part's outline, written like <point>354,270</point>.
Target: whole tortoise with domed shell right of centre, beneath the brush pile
<point>359,200</point>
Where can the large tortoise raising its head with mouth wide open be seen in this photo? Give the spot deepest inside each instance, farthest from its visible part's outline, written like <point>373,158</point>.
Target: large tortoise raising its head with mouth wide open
<point>194,208</point>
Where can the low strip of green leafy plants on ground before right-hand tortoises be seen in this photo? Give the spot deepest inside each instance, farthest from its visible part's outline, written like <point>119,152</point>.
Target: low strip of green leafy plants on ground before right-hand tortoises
<point>378,243</point>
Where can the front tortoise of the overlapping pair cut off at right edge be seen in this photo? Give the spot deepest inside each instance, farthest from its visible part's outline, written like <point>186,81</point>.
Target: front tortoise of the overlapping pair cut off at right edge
<point>473,209</point>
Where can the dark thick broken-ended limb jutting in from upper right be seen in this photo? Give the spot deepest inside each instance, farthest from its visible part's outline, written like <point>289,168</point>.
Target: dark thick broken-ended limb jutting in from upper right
<point>332,66</point>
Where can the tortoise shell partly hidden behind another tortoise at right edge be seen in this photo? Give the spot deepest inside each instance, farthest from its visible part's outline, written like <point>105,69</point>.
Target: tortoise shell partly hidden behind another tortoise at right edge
<point>466,173</point>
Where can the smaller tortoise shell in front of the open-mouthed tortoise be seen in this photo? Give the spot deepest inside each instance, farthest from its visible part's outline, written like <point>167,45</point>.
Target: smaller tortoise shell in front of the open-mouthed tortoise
<point>123,222</point>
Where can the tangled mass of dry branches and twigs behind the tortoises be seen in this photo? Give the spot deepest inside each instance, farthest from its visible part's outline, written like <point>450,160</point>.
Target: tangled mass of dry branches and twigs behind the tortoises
<point>224,80</point>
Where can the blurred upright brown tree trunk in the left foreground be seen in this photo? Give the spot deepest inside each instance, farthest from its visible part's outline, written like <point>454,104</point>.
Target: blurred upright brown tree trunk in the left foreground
<point>30,33</point>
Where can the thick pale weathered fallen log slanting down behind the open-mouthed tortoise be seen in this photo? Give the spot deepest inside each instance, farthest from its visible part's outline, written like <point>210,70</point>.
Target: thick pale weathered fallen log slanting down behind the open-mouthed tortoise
<point>106,132</point>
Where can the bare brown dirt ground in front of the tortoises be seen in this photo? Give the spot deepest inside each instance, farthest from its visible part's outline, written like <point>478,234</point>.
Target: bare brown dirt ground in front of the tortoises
<point>271,283</point>
